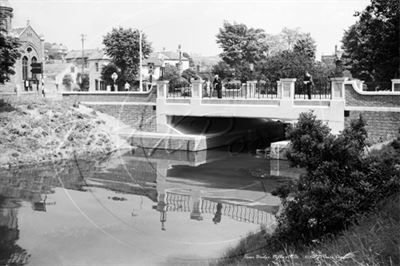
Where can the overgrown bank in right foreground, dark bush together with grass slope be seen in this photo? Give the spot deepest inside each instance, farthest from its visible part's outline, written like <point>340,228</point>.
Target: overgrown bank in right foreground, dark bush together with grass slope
<point>343,211</point>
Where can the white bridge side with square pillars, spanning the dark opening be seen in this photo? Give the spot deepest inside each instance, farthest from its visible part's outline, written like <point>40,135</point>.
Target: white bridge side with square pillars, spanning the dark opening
<point>284,107</point>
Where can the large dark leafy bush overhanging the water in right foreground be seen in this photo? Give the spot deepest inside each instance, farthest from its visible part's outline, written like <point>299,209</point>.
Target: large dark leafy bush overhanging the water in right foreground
<point>341,182</point>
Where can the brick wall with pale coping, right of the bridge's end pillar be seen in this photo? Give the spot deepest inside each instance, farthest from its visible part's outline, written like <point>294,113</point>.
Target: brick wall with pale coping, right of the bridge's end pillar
<point>381,110</point>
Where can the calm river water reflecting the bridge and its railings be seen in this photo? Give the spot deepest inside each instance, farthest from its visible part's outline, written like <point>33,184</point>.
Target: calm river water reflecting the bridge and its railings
<point>135,208</point>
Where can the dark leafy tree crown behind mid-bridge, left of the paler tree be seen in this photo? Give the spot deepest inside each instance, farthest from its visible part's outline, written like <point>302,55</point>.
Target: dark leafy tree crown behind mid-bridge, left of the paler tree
<point>241,45</point>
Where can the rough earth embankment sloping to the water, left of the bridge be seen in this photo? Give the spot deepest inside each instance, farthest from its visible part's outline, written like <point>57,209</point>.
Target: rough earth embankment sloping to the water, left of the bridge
<point>37,132</point>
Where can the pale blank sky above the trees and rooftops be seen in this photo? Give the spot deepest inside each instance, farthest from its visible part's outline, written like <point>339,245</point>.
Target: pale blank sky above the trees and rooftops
<point>192,24</point>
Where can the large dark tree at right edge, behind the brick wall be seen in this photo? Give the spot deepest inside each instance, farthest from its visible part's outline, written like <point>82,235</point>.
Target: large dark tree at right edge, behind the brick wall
<point>371,45</point>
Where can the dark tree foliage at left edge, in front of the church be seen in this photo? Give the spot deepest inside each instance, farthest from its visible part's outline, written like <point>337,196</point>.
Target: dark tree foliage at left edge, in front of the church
<point>8,55</point>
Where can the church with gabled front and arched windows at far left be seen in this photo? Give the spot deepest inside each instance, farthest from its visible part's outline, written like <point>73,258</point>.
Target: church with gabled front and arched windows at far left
<point>31,49</point>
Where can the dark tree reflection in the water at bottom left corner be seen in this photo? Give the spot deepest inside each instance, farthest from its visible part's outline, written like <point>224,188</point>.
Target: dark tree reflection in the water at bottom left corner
<point>10,252</point>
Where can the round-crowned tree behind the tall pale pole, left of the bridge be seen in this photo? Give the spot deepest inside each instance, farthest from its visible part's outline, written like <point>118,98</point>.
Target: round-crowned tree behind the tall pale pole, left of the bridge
<point>122,45</point>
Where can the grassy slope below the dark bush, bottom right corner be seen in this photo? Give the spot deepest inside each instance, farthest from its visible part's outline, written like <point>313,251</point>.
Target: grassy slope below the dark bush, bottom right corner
<point>375,240</point>
